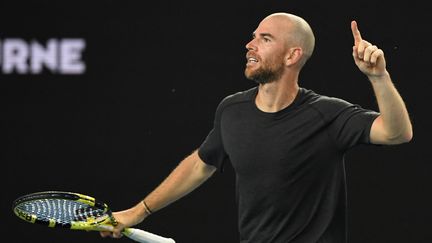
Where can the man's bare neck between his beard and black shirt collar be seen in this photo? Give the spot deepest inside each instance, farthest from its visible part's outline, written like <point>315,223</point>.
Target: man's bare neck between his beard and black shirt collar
<point>275,96</point>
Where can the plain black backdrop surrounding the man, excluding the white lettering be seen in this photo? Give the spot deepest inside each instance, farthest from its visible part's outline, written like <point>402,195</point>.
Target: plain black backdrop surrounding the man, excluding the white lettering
<point>155,74</point>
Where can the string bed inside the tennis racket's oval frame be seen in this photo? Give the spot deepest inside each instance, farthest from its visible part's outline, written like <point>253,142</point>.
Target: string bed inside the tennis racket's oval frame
<point>62,211</point>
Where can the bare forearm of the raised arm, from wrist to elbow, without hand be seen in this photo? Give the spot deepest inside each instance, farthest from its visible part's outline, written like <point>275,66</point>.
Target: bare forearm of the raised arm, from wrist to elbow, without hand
<point>394,115</point>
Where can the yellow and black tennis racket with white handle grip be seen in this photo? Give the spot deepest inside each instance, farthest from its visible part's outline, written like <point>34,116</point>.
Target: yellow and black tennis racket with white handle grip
<point>75,211</point>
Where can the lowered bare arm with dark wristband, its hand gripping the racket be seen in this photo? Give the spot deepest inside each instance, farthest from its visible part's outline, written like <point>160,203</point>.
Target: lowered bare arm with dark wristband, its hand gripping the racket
<point>186,177</point>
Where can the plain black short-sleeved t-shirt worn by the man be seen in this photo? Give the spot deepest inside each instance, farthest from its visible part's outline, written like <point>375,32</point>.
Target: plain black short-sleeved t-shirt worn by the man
<point>289,165</point>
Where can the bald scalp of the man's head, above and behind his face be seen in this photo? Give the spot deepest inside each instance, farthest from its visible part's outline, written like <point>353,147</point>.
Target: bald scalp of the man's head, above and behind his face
<point>296,31</point>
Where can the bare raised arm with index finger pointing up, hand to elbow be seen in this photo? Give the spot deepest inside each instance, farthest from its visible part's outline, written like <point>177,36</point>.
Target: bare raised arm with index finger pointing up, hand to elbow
<point>393,126</point>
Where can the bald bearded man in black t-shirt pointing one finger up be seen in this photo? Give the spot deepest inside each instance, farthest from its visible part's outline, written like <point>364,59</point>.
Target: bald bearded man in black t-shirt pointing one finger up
<point>286,143</point>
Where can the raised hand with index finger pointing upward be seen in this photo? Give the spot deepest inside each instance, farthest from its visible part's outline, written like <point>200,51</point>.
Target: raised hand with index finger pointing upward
<point>368,58</point>
